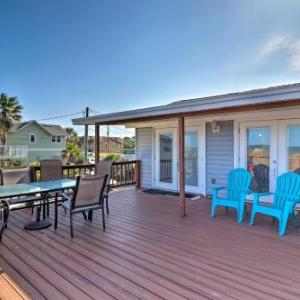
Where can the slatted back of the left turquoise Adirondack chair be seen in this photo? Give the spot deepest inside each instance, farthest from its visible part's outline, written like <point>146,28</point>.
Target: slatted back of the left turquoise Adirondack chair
<point>238,182</point>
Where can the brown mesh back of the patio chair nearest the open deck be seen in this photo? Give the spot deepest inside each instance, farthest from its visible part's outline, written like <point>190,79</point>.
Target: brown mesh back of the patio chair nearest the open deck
<point>89,191</point>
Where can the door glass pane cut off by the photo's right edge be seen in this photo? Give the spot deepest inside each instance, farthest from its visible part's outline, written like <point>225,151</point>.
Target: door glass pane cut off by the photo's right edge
<point>294,148</point>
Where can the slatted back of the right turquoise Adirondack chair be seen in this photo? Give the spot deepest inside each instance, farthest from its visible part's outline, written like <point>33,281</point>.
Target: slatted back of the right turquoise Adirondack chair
<point>287,189</point>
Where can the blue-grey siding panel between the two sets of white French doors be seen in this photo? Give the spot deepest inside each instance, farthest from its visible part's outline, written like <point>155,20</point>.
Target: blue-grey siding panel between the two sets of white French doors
<point>219,154</point>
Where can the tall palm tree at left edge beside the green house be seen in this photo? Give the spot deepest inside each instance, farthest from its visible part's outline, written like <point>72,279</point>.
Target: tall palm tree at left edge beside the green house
<point>10,113</point>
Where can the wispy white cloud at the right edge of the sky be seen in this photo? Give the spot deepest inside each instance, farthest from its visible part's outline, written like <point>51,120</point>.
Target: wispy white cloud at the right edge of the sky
<point>284,44</point>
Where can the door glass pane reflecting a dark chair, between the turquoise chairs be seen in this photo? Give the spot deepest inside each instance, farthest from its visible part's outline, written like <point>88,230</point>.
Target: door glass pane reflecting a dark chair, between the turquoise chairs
<point>258,157</point>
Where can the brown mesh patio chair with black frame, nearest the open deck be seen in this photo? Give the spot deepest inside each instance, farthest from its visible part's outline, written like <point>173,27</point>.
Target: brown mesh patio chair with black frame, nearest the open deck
<point>87,197</point>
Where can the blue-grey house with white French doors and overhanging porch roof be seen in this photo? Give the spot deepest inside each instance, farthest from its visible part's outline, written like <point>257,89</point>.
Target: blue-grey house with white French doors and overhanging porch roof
<point>257,129</point>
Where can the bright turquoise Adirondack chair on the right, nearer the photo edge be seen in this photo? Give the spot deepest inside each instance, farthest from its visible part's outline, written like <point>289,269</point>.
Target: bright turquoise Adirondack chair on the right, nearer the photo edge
<point>286,196</point>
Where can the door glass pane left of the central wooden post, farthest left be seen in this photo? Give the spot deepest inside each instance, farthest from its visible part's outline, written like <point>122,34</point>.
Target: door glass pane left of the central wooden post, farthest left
<point>165,157</point>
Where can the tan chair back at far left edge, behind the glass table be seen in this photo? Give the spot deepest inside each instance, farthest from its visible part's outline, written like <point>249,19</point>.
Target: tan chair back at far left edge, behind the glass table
<point>13,176</point>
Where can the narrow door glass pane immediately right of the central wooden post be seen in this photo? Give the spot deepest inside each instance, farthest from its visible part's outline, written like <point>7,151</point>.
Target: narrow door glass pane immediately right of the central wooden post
<point>191,158</point>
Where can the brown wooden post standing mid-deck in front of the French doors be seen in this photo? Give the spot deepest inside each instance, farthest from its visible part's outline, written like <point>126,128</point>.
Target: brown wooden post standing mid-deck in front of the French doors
<point>181,166</point>
